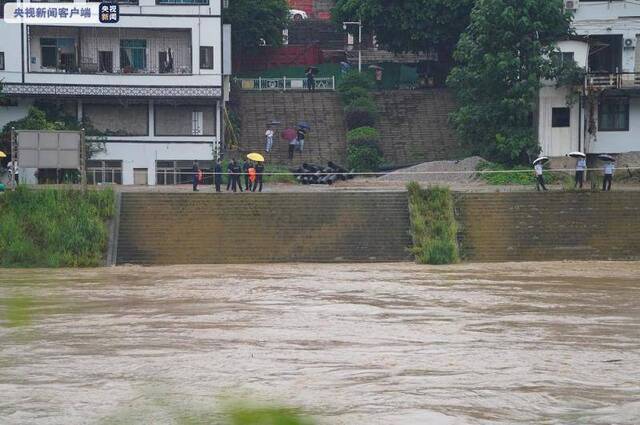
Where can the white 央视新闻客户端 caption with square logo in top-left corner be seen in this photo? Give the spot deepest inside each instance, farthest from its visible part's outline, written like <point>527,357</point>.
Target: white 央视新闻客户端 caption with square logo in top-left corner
<point>61,13</point>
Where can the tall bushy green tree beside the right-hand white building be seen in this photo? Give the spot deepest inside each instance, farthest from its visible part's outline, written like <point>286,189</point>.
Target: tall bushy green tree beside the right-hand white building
<point>502,58</point>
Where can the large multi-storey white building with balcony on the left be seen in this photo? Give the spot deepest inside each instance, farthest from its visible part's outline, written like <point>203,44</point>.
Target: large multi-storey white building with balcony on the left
<point>152,84</point>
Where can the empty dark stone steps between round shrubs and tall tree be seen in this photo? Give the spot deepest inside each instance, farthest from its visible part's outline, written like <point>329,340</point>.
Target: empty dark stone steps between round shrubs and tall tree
<point>414,125</point>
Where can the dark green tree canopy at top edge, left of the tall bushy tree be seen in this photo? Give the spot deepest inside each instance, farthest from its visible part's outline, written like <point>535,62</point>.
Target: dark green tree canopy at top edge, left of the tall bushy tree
<point>410,25</point>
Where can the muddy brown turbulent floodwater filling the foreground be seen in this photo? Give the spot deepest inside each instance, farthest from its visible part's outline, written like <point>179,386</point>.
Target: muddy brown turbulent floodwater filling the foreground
<point>554,343</point>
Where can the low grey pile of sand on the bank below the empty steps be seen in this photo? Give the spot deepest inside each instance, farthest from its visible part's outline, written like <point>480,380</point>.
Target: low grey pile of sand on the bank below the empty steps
<point>462,171</point>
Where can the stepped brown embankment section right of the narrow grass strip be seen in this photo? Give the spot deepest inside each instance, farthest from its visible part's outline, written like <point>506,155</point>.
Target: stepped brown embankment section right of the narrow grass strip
<point>549,226</point>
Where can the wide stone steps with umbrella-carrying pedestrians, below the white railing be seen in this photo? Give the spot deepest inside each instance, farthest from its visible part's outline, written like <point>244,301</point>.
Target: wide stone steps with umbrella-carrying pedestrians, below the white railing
<point>322,110</point>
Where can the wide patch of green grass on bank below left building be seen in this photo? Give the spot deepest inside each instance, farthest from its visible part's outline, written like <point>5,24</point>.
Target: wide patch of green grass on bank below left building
<point>54,227</point>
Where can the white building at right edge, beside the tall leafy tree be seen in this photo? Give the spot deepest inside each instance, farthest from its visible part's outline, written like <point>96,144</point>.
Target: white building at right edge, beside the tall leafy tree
<point>605,116</point>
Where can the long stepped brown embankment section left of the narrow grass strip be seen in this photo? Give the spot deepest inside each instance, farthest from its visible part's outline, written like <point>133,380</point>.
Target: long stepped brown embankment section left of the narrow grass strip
<point>173,228</point>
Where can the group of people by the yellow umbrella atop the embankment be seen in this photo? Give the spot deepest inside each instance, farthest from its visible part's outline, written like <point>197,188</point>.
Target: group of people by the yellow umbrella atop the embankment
<point>252,172</point>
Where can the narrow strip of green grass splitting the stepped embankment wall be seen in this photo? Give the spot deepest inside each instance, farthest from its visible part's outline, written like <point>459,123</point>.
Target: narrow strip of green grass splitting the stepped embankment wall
<point>433,226</point>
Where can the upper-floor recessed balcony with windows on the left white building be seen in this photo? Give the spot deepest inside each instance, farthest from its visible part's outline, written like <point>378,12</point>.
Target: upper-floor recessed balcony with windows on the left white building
<point>108,51</point>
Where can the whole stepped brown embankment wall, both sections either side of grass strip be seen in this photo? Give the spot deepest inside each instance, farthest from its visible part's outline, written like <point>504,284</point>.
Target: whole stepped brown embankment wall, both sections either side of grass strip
<point>207,228</point>
